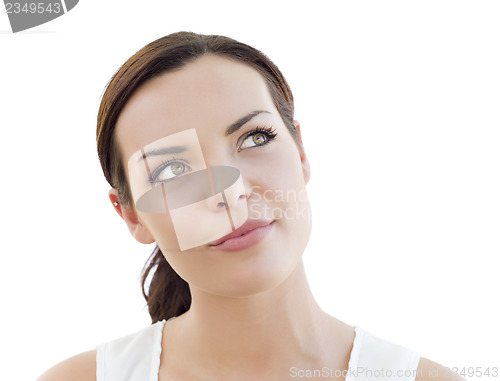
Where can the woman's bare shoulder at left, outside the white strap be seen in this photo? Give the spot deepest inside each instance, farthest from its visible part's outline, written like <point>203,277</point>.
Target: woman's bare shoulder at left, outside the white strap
<point>81,367</point>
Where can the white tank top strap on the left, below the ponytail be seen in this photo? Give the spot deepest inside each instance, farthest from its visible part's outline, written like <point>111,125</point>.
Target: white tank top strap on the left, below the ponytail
<point>135,357</point>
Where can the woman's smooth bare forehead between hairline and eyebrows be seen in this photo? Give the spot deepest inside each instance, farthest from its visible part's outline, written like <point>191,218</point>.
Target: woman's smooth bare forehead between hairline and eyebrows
<point>206,94</point>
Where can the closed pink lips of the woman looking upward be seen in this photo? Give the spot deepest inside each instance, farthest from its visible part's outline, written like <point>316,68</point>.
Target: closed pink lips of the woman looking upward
<point>248,234</point>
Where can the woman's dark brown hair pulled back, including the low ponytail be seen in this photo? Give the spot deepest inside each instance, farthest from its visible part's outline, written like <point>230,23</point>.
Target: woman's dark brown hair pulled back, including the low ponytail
<point>168,293</point>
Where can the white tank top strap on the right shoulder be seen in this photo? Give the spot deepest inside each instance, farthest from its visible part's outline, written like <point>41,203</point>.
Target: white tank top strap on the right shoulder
<point>373,358</point>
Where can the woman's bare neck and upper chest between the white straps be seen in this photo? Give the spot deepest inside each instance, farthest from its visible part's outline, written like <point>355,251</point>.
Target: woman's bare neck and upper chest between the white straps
<point>265,342</point>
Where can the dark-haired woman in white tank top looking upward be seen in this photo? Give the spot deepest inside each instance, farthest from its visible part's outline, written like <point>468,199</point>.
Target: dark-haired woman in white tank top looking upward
<point>197,138</point>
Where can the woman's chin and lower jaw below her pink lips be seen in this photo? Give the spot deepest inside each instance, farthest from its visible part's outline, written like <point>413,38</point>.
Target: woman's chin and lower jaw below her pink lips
<point>254,270</point>
